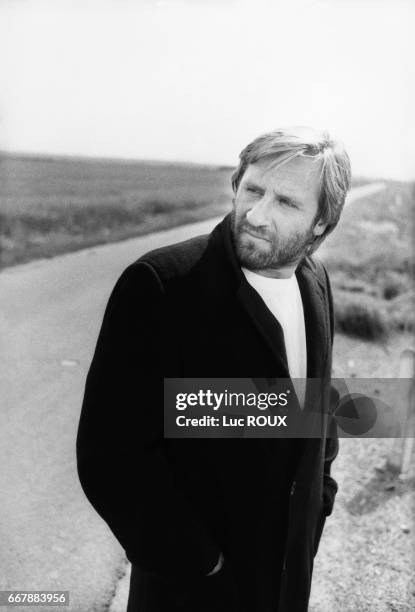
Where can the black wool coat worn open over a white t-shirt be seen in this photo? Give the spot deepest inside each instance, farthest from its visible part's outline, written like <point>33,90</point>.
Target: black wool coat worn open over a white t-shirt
<point>186,310</point>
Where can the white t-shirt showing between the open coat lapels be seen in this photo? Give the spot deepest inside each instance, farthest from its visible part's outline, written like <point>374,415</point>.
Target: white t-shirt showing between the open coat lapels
<point>283,298</point>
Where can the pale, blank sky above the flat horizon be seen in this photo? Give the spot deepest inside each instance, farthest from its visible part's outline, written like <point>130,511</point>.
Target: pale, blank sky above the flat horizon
<point>196,80</point>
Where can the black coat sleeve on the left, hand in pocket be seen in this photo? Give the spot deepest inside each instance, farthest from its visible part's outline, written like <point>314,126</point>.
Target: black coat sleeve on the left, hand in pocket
<point>121,459</point>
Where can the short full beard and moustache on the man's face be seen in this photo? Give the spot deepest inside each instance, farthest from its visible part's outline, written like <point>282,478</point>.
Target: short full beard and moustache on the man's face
<point>273,251</point>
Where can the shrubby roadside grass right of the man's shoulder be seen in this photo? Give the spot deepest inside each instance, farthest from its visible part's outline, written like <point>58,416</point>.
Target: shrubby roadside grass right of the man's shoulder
<point>371,261</point>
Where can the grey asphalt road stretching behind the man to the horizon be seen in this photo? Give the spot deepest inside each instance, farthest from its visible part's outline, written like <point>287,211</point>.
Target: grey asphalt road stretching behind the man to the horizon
<point>50,313</point>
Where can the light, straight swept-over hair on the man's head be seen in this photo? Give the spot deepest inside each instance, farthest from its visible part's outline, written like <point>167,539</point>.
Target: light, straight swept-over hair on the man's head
<point>285,144</point>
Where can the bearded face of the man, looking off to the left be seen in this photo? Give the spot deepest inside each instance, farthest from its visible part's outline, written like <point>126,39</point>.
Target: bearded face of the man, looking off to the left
<point>273,214</point>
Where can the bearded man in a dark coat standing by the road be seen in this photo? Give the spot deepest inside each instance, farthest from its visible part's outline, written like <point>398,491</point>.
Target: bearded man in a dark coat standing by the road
<point>221,524</point>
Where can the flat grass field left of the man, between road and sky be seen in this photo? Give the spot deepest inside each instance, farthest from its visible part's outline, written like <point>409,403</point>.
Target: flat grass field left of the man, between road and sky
<point>50,206</point>
